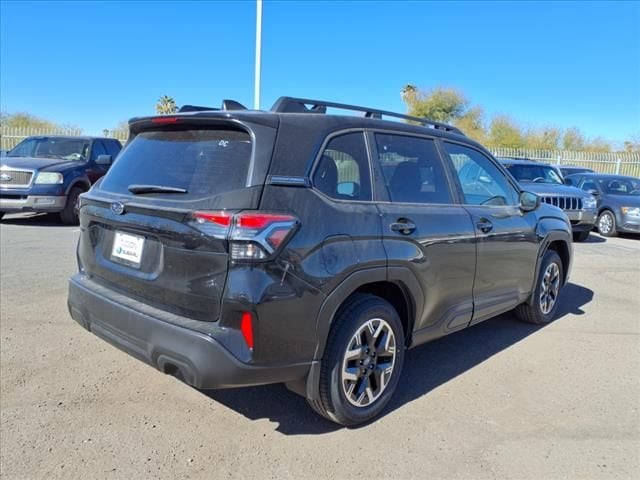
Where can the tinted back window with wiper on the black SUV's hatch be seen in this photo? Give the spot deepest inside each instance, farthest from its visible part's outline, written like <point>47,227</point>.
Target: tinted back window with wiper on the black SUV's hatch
<point>202,162</point>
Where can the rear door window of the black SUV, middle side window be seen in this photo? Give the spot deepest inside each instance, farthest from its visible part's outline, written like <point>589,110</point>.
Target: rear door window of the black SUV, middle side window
<point>412,169</point>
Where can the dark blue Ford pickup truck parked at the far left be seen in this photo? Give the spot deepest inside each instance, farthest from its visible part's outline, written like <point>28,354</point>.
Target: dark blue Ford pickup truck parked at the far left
<point>48,173</point>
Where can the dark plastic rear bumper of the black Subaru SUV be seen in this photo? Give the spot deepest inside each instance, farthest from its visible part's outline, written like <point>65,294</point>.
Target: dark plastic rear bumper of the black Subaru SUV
<point>201,359</point>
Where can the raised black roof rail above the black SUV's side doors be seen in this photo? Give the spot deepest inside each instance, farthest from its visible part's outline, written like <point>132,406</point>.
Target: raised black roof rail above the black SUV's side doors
<point>306,105</point>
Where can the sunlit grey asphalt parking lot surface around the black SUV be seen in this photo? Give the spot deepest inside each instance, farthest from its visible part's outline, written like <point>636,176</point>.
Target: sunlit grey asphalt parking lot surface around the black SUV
<point>500,400</point>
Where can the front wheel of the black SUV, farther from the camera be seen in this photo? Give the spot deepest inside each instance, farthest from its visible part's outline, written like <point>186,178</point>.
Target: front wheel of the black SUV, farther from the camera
<point>545,302</point>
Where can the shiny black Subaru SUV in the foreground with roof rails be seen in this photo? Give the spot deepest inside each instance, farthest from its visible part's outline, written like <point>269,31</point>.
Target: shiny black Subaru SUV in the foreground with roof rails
<point>236,247</point>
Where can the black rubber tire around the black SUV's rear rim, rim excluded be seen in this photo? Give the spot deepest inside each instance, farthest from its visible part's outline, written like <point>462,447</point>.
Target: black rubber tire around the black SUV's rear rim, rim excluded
<point>338,405</point>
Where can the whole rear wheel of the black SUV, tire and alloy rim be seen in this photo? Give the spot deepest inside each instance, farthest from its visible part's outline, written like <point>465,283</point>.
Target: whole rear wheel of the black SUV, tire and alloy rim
<point>364,321</point>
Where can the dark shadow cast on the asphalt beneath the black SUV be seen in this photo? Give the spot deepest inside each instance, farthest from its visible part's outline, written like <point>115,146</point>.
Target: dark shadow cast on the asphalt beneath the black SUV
<point>426,368</point>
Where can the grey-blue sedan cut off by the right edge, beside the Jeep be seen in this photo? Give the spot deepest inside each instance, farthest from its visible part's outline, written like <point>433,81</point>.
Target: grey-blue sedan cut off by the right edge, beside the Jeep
<point>618,201</point>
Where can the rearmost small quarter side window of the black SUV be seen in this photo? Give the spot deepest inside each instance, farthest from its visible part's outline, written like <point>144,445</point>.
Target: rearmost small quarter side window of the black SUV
<point>343,170</point>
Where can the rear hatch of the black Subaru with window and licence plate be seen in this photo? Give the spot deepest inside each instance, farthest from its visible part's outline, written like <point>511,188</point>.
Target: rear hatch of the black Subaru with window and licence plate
<point>139,231</point>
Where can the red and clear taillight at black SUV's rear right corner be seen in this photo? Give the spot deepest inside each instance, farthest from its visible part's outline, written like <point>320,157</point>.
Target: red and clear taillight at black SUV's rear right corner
<point>251,235</point>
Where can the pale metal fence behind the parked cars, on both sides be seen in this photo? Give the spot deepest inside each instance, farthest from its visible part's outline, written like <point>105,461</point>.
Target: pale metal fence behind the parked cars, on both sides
<point>625,163</point>
